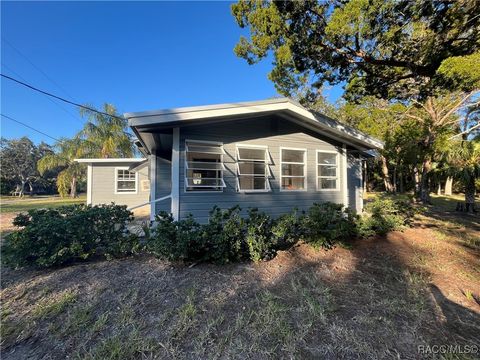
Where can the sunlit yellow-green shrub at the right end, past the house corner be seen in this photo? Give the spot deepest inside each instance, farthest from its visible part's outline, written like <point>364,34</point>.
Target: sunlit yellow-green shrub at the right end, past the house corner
<point>383,215</point>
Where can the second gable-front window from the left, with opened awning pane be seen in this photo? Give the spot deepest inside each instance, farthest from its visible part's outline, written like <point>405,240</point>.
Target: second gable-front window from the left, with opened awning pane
<point>252,168</point>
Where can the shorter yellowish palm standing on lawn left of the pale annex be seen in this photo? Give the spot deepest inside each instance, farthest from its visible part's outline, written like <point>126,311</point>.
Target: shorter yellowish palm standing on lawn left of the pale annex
<point>67,151</point>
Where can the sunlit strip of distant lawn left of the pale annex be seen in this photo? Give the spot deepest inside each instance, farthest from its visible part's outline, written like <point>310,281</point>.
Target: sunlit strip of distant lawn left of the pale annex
<point>11,204</point>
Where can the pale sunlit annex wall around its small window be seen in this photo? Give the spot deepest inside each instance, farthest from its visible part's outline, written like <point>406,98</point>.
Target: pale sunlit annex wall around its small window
<point>103,186</point>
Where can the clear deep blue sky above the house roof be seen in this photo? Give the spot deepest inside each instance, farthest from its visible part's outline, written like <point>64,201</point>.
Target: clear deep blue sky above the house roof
<point>137,56</point>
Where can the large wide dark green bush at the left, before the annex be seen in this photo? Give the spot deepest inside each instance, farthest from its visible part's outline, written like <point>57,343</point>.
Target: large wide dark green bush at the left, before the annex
<point>52,237</point>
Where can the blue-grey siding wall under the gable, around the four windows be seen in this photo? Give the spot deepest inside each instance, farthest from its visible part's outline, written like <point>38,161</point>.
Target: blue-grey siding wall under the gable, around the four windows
<point>274,133</point>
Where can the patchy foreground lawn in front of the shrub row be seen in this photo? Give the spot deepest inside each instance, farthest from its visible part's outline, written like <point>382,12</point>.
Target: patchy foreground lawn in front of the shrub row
<point>381,298</point>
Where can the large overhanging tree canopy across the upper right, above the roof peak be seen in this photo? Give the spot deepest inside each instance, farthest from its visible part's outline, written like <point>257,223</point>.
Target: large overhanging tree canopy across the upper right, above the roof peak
<point>392,49</point>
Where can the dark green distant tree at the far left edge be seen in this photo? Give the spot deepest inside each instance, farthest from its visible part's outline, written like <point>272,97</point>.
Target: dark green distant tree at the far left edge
<point>18,161</point>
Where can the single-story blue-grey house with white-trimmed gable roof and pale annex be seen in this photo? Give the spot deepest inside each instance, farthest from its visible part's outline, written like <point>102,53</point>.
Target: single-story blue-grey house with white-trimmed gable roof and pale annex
<point>274,155</point>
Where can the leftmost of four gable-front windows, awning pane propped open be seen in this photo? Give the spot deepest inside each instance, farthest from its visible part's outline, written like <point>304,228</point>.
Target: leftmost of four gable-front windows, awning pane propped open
<point>203,166</point>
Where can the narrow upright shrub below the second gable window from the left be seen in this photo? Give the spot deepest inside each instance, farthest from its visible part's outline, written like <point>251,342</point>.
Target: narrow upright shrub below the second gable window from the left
<point>259,237</point>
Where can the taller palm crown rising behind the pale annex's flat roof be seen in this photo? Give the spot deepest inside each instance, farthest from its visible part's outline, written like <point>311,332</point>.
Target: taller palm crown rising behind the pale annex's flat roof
<point>105,136</point>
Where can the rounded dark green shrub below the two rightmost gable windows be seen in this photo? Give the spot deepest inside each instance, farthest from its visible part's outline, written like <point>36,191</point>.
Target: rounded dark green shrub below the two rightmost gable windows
<point>326,223</point>
